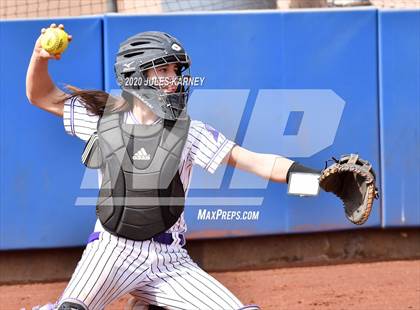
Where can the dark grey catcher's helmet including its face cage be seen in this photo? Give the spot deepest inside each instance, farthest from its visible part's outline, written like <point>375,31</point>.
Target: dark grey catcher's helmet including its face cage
<point>148,50</point>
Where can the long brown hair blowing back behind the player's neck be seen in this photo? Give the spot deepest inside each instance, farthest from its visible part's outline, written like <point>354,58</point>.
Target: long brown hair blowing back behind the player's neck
<point>98,101</point>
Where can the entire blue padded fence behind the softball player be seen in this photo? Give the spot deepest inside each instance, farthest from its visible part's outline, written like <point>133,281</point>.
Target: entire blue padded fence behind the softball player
<point>360,68</point>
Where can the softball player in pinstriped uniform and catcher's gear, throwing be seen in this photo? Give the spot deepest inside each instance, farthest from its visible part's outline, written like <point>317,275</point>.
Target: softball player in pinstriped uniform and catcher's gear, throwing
<point>127,257</point>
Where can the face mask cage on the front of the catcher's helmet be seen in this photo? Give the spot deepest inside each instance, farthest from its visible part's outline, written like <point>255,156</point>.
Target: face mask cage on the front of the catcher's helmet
<point>153,92</point>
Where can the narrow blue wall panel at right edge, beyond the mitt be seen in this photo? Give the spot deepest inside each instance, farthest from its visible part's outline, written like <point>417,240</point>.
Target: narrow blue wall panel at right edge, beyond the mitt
<point>399,60</point>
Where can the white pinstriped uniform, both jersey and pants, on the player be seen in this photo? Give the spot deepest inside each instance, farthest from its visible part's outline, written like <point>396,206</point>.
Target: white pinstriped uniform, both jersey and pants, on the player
<point>155,272</point>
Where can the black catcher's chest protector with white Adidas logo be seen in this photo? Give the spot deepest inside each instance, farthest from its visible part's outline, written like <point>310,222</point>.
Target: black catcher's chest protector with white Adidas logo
<point>141,193</point>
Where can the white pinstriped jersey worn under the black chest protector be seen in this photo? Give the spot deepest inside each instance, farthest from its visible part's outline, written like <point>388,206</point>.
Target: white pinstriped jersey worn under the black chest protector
<point>205,146</point>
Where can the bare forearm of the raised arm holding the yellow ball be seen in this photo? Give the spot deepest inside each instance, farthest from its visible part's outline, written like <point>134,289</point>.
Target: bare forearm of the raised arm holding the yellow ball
<point>39,84</point>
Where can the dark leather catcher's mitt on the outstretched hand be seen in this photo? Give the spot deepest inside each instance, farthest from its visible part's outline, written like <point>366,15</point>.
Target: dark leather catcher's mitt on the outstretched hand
<point>352,179</point>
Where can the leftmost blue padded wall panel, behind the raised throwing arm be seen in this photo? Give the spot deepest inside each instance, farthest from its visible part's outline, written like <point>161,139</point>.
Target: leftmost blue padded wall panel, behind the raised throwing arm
<point>40,165</point>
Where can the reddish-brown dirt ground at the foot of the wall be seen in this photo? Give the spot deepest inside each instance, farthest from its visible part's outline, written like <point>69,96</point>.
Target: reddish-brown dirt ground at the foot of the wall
<point>381,285</point>
